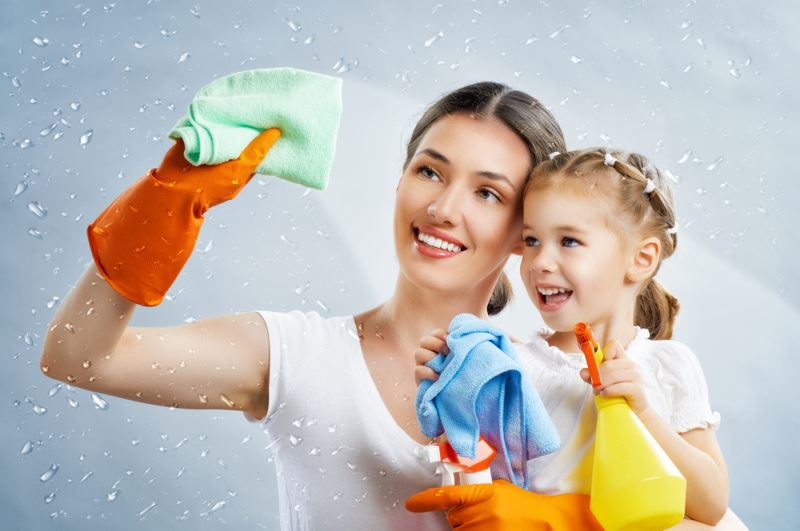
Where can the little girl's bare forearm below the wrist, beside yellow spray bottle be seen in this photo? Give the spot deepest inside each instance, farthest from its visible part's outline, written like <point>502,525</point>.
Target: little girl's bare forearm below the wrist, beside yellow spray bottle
<point>706,480</point>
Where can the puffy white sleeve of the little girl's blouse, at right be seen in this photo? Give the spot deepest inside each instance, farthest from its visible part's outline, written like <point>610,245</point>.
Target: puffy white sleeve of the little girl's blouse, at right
<point>684,386</point>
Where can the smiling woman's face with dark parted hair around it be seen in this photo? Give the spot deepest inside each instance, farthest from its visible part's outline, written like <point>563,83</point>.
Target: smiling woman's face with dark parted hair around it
<point>458,207</point>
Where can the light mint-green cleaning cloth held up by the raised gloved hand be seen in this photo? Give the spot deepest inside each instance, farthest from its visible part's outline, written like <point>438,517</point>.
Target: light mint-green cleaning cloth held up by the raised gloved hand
<point>229,112</point>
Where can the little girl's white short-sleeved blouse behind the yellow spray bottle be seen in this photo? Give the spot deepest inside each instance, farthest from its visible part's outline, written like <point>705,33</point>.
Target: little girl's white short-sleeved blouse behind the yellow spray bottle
<point>674,383</point>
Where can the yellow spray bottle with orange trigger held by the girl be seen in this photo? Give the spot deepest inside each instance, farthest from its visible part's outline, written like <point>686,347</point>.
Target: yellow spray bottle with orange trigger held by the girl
<point>635,485</point>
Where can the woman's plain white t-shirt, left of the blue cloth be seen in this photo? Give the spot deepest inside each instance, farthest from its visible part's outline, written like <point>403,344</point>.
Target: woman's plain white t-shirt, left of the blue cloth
<point>342,461</point>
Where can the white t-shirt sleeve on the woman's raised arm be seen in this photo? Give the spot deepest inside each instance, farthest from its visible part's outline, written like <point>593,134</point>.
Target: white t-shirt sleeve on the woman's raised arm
<point>288,352</point>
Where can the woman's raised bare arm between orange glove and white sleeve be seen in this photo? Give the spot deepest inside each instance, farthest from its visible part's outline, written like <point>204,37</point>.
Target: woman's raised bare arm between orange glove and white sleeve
<point>218,363</point>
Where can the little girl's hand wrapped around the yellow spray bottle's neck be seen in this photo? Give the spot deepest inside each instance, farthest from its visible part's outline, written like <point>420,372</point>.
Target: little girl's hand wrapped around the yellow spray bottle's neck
<point>620,376</point>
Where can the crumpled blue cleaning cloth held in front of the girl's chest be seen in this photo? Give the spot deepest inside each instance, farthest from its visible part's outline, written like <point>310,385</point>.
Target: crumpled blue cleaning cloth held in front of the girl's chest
<point>482,390</point>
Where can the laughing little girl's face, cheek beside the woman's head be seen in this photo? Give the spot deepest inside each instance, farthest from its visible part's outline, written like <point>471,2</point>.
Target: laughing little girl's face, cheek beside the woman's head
<point>573,265</point>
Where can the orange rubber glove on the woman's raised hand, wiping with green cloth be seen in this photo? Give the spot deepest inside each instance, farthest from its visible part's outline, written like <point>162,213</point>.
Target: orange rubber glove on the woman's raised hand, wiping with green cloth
<point>142,240</point>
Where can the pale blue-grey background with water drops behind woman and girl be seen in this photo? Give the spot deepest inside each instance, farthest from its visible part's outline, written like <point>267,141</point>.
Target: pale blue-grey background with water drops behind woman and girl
<point>706,89</point>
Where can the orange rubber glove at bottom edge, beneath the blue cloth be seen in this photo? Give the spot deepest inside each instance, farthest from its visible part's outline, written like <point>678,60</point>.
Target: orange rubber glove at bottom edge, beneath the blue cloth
<point>504,507</point>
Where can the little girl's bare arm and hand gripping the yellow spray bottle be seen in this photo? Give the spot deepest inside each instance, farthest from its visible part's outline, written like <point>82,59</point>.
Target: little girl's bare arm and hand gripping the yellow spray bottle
<point>696,453</point>
